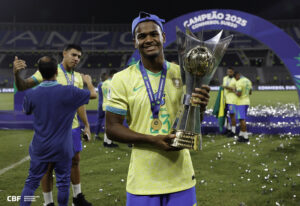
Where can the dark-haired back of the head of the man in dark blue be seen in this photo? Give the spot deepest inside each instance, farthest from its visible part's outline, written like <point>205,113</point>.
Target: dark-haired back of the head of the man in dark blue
<point>47,66</point>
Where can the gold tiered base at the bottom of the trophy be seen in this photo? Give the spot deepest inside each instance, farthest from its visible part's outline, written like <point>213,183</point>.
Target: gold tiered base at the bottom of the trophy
<point>186,140</point>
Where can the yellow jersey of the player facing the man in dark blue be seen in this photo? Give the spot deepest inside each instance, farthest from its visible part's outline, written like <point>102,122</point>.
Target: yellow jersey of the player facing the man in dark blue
<point>61,79</point>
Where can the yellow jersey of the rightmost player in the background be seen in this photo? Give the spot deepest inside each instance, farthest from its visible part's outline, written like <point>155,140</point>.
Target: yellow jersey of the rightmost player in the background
<point>243,85</point>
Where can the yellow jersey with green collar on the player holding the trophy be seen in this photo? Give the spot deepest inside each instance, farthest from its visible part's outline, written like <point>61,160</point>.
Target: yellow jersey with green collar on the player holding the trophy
<point>151,170</point>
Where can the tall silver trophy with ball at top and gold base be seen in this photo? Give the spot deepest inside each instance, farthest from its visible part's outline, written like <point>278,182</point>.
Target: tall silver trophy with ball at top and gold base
<point>198,61</point>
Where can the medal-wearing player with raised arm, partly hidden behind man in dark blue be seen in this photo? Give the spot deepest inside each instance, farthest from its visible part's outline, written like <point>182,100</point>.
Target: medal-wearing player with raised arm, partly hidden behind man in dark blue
<point>66,75</point>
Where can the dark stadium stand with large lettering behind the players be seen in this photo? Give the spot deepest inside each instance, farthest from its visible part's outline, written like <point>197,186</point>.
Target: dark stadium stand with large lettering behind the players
<point>110,46</point>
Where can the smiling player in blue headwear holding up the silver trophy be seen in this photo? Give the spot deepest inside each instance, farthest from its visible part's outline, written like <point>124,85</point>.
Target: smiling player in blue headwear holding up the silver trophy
<point>158,173</point>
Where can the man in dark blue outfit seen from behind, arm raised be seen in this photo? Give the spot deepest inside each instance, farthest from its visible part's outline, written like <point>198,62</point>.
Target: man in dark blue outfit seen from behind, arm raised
<point>53,107</point>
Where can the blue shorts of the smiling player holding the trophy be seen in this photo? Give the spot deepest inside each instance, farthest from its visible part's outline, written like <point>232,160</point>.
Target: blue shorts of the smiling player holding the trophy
<point>182,198</point>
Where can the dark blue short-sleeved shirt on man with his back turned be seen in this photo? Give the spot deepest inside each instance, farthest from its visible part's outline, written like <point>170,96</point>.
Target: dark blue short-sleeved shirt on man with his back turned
<point>53,107</point>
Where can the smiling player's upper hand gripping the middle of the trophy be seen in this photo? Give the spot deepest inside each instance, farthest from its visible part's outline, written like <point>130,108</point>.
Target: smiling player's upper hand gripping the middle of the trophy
<point>201,96</point>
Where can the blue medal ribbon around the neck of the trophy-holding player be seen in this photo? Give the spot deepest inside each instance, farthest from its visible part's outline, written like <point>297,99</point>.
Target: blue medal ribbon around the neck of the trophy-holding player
<point>155,103</point>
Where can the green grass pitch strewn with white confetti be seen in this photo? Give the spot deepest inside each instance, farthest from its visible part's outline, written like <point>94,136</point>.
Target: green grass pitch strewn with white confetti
<point>264,172</point>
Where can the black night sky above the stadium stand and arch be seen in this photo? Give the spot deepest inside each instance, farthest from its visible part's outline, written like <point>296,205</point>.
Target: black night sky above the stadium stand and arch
<point>109,11</point>
